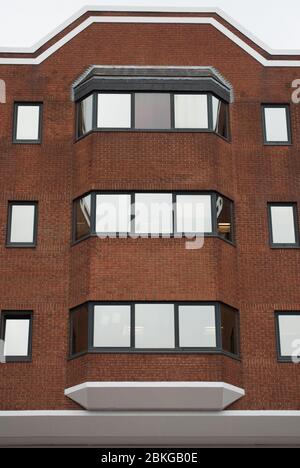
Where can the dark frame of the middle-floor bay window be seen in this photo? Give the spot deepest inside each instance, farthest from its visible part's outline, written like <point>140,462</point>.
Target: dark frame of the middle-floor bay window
<point>175,234</point>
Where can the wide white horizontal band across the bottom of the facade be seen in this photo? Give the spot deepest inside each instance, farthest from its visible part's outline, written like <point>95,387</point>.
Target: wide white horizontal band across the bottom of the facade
<point>156,428</point>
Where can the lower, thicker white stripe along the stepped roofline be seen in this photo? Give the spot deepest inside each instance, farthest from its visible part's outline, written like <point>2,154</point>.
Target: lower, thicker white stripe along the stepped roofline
<point>147,20</point>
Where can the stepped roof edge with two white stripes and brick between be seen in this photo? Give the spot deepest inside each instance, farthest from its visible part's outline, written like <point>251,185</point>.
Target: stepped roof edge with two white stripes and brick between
<point>94,14</point>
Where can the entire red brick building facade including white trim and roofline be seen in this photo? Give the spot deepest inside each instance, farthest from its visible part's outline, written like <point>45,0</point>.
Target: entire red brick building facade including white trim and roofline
<point>252,273</point>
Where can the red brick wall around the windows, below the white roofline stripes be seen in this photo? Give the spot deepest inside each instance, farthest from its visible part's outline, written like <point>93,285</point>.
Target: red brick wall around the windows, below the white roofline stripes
<point>57,276</point>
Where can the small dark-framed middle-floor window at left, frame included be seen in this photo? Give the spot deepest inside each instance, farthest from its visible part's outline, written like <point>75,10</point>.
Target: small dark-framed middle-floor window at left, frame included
<point>22,224</point>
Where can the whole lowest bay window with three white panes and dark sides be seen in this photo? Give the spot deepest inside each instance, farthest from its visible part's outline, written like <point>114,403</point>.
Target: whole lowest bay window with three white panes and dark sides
<point>151,326</point>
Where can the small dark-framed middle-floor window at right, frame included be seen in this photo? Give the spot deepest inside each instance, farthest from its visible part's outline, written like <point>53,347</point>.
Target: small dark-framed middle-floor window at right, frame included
<point>283,222</point>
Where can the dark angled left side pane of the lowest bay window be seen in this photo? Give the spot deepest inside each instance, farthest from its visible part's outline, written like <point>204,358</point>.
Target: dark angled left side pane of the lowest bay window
<point>79,330</point>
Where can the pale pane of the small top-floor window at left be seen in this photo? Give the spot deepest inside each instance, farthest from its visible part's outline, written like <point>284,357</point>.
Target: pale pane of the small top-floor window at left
<point>28,122</point>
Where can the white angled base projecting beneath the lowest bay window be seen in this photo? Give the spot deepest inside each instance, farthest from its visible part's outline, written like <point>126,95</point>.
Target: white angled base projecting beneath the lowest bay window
<point>200,396</point>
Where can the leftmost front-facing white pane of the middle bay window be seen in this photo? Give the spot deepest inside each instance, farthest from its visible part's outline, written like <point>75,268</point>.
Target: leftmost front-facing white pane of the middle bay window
<point>113,213</point>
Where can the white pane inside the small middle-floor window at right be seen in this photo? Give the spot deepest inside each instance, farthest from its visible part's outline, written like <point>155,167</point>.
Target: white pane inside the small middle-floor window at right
<point>283,227</point>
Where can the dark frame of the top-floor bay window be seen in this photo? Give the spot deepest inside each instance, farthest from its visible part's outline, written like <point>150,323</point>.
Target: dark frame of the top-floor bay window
<point>172,128</point>
